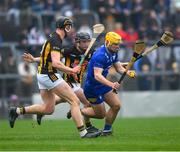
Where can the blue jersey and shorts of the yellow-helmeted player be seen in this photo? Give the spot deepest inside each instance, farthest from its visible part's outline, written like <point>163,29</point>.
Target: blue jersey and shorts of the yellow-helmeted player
<point>104,59</point>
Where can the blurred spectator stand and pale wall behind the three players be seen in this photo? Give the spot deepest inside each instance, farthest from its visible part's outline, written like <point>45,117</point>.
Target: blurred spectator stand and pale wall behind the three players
<point>25,25</point>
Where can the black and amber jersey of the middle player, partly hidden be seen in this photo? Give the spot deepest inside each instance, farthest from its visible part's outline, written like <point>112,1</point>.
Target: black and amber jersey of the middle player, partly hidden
<point>72,58</point>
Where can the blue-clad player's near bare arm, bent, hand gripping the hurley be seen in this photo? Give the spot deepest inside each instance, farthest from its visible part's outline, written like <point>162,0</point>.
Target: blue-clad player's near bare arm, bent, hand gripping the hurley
<point>99,77</point>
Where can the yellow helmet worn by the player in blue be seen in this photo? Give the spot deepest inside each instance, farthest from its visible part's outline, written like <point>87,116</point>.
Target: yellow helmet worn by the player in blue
<point>112,38</point>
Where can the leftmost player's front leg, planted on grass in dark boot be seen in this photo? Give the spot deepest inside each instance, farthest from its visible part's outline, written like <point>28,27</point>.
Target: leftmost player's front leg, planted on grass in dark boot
<point>66,93</point>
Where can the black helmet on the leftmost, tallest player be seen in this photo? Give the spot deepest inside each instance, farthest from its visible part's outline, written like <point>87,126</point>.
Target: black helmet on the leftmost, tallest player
<point>63,21</point>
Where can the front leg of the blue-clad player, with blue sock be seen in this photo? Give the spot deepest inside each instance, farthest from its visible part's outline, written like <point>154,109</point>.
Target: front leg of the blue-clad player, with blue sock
<point>114,102</point>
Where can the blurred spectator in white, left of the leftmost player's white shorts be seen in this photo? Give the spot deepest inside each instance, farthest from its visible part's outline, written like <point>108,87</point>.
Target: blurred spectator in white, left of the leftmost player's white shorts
<point>26,72</point>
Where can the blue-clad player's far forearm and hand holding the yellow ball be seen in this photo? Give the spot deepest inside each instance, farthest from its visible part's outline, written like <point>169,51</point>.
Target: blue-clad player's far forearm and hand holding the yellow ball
<point>120,69</point>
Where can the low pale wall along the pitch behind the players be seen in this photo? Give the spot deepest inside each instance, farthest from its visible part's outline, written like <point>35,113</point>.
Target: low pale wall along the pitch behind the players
<point>135,104</point>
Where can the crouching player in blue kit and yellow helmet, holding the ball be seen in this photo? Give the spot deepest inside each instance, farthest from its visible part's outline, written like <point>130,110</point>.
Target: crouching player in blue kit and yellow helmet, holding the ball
<point>97,88</point>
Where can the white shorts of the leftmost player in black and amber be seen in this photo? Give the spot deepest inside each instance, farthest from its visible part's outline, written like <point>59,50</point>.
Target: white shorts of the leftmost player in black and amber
<point>44,82</point>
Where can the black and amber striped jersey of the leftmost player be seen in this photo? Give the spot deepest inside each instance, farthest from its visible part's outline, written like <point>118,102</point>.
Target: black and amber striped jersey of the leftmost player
<point>53,43</point>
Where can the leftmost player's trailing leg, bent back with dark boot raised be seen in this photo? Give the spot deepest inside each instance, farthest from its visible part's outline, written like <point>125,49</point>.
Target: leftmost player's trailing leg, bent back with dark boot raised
<point>45,108</point>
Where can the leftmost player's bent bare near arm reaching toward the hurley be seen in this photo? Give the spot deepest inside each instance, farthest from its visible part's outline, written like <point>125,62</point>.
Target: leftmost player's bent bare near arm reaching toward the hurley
<point>56,63</point>
